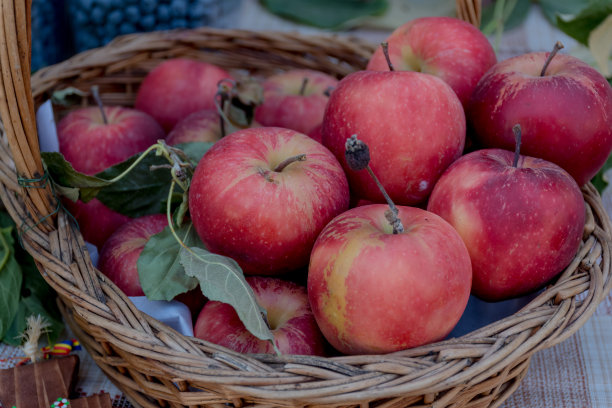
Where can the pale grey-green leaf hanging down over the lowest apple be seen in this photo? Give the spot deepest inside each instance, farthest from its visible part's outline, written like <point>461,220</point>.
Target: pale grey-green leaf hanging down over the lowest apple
<point>221,279</point>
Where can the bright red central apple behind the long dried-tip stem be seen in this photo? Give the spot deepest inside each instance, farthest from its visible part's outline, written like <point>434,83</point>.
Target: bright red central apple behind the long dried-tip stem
<point>413,123</point>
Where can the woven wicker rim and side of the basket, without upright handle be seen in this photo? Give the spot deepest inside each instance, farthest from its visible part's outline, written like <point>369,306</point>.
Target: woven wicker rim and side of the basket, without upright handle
<point>123,340</point>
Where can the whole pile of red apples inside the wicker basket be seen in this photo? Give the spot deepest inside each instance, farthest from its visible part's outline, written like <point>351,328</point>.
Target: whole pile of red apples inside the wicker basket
<point>432,224</point>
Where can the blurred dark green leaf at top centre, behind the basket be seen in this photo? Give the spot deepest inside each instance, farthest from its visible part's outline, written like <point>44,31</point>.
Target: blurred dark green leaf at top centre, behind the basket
<point>325,13</point>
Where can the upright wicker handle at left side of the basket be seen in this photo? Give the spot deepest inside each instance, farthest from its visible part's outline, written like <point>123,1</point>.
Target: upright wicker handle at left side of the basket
<point>17,106</point>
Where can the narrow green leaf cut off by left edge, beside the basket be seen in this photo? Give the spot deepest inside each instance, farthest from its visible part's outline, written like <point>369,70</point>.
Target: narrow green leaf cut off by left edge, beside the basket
<point>10,281</point>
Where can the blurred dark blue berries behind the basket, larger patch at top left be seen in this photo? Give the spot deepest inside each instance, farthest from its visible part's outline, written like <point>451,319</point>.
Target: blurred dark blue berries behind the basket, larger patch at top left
<point>97,22</point>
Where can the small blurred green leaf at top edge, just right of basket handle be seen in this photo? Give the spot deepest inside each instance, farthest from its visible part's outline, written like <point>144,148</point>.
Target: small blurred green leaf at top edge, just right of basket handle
<point>512,15</point>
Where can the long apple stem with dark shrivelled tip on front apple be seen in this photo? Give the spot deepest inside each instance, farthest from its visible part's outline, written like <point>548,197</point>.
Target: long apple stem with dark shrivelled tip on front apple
<point>357,155</point>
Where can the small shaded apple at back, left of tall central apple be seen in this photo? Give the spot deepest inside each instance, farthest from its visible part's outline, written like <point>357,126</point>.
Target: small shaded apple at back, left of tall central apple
<point>286,104</point>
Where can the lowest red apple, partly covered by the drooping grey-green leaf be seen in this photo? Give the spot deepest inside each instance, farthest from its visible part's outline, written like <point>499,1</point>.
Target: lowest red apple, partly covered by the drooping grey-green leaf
<point>289,316</point>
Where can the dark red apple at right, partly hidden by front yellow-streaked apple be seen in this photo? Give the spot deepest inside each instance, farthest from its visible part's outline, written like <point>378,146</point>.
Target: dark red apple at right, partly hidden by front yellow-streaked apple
<point>522,225</point>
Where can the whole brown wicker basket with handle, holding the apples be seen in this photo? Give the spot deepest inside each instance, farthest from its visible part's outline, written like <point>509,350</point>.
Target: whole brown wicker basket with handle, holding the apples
<point>154,365</point>
